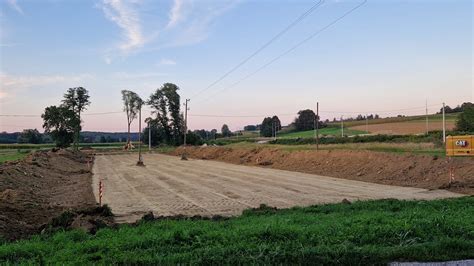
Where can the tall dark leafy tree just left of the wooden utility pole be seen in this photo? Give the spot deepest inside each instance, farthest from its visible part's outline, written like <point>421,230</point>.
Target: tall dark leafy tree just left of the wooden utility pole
<point>166,104</point>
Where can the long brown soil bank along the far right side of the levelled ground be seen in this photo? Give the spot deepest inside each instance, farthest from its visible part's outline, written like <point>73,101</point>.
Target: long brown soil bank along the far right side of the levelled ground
<point>410,170</point>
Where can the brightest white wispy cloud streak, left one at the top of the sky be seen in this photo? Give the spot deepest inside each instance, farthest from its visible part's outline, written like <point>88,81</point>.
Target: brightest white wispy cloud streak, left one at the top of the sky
<point>126,16</point>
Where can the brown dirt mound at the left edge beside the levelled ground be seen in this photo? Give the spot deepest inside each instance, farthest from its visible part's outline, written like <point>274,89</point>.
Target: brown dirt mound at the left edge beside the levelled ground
<point>40,187</point>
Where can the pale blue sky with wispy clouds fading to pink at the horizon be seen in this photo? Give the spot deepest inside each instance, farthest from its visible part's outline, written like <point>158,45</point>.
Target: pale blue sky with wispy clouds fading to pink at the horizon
<point>386,57</point>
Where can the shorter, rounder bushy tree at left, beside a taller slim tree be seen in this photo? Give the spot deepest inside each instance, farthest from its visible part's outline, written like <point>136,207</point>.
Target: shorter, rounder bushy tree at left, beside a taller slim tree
<point>61,123</point>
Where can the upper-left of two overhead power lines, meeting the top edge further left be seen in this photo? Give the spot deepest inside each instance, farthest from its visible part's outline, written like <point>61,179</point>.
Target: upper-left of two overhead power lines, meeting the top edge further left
<point>287,28</point>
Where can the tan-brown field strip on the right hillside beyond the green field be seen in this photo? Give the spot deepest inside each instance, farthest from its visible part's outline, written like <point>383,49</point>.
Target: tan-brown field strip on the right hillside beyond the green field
<point>409,127</point>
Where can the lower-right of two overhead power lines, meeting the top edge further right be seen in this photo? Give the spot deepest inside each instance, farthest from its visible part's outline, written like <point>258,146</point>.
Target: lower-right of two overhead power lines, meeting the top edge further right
<point>289,50</point>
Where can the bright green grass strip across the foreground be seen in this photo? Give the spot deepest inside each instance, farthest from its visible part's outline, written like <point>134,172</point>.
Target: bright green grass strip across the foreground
<point>369,232</point>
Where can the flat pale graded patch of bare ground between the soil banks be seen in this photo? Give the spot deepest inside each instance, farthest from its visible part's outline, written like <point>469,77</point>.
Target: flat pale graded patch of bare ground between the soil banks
<point>169,186</point>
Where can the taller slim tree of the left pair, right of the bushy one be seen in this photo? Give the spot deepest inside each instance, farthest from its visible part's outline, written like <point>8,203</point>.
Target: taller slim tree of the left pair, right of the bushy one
<point>76,100</point>
